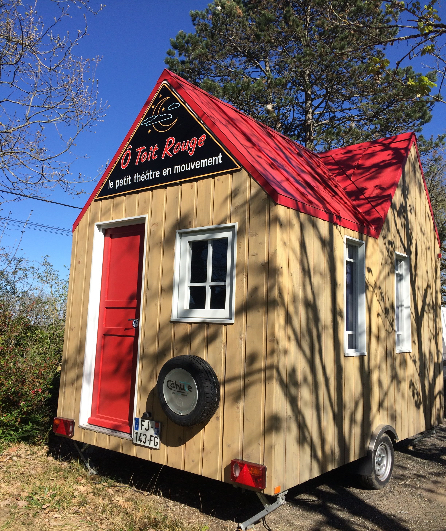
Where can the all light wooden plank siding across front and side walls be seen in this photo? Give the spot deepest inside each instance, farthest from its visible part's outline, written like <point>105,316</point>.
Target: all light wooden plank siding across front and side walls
<point>290,399</point>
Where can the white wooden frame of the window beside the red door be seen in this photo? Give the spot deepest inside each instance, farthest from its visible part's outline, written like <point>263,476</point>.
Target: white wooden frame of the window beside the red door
<point>180,310</point>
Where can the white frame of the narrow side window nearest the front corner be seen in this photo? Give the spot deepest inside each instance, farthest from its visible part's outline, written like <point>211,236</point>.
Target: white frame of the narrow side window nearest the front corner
<point>359,310</point>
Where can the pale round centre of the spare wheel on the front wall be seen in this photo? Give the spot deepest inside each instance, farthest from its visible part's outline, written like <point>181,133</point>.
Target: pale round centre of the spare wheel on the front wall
<point>180,391</point>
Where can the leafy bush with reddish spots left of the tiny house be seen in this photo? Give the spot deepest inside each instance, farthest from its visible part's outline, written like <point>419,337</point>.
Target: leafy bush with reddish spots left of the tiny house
<point>32,300</point>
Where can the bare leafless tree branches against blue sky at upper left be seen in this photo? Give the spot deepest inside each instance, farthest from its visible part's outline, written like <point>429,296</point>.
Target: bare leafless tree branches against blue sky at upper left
<point>48,96</point>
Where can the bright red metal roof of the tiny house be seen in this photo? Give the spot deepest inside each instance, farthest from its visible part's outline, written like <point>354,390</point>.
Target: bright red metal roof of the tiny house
<point>352,187</point>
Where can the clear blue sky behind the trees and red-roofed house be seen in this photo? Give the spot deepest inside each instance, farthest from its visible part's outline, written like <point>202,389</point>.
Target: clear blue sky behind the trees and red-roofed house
<point>131,37</point>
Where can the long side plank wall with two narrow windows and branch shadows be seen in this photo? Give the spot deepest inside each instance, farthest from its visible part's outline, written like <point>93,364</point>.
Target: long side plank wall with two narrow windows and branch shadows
<point>329,403</point>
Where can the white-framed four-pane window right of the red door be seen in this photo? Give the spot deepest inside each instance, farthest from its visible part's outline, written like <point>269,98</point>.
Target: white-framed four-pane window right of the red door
<point>204,277</point>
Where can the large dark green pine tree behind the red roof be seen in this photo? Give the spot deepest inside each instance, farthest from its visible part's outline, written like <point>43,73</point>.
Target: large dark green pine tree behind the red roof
<point>294,66</point>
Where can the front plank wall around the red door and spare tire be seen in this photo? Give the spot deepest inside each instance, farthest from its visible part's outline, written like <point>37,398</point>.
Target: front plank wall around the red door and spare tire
<point>237,352</point>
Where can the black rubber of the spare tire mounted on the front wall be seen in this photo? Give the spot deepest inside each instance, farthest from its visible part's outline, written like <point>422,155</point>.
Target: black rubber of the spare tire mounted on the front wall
<point>207,386</point>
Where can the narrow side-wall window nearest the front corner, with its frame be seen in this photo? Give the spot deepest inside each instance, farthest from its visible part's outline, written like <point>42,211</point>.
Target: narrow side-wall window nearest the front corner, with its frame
<point>354,298</point>
